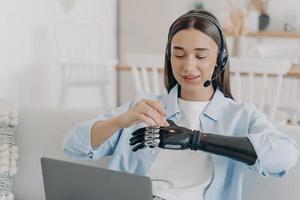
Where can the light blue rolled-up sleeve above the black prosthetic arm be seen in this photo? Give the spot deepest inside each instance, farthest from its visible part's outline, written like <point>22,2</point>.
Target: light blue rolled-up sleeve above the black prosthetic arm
<point>276,151</point>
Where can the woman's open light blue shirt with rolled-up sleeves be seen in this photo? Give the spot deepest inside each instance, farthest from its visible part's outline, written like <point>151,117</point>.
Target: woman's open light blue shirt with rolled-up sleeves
<point>276,152</point>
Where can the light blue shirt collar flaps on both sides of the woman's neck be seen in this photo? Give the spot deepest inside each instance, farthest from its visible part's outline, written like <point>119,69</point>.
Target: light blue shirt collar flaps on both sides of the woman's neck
<point>212,110</point>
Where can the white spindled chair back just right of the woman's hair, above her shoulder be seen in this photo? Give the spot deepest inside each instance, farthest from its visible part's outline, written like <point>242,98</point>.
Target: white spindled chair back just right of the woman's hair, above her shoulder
<point>270,71</point>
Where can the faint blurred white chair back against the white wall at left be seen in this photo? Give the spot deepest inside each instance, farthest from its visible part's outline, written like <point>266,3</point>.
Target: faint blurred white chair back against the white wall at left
<point>78,41</point>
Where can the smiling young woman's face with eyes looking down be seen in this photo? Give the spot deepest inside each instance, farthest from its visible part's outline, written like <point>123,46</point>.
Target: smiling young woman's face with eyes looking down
<point>193,58</point>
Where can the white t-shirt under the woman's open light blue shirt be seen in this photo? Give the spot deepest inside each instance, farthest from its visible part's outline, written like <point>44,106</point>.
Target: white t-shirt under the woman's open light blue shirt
<point>183,174</point>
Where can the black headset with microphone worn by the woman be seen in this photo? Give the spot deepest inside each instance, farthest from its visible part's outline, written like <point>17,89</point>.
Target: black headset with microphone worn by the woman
<point>223,51</point>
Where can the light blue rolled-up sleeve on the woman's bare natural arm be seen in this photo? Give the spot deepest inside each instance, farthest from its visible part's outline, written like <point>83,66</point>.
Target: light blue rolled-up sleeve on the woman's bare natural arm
<point>77,143</point>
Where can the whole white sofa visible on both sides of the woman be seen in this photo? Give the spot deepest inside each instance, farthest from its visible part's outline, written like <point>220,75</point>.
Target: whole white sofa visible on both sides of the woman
<point>40,133</point>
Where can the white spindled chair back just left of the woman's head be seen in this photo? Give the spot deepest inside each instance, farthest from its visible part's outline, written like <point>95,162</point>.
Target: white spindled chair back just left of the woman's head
<point>146,70</point>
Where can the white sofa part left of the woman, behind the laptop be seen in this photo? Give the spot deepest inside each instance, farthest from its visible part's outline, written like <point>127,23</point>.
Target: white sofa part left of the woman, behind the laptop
<point>40,133</point>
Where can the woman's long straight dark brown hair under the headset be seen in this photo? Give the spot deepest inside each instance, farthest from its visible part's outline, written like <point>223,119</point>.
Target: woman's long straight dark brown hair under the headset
<point>207,27</point>
